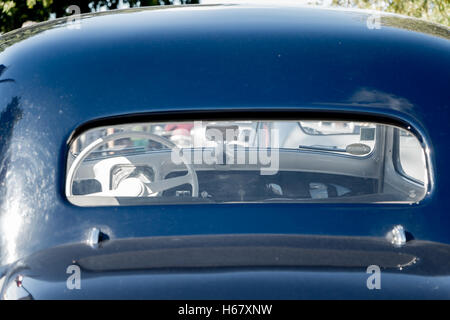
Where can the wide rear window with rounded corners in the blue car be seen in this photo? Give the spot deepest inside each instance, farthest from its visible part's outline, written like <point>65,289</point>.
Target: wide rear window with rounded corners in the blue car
<point>245,161</point>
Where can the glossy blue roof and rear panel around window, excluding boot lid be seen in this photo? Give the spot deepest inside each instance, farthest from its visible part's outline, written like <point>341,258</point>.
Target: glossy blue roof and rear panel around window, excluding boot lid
<point>210,58</point>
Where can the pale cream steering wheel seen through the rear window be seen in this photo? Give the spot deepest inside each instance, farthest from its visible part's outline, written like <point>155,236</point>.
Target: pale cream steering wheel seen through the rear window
<point>154,187</point>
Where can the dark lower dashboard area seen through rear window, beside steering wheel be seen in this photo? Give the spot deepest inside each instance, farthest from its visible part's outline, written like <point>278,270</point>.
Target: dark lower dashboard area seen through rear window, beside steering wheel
<point>225,186</point>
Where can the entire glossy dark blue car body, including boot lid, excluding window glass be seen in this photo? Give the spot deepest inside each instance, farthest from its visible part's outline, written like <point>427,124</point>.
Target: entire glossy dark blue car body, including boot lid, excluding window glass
<point>218,61</point>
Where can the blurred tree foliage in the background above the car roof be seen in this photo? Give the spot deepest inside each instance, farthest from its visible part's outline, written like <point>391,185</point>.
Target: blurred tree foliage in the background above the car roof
<point>17,13</point>
